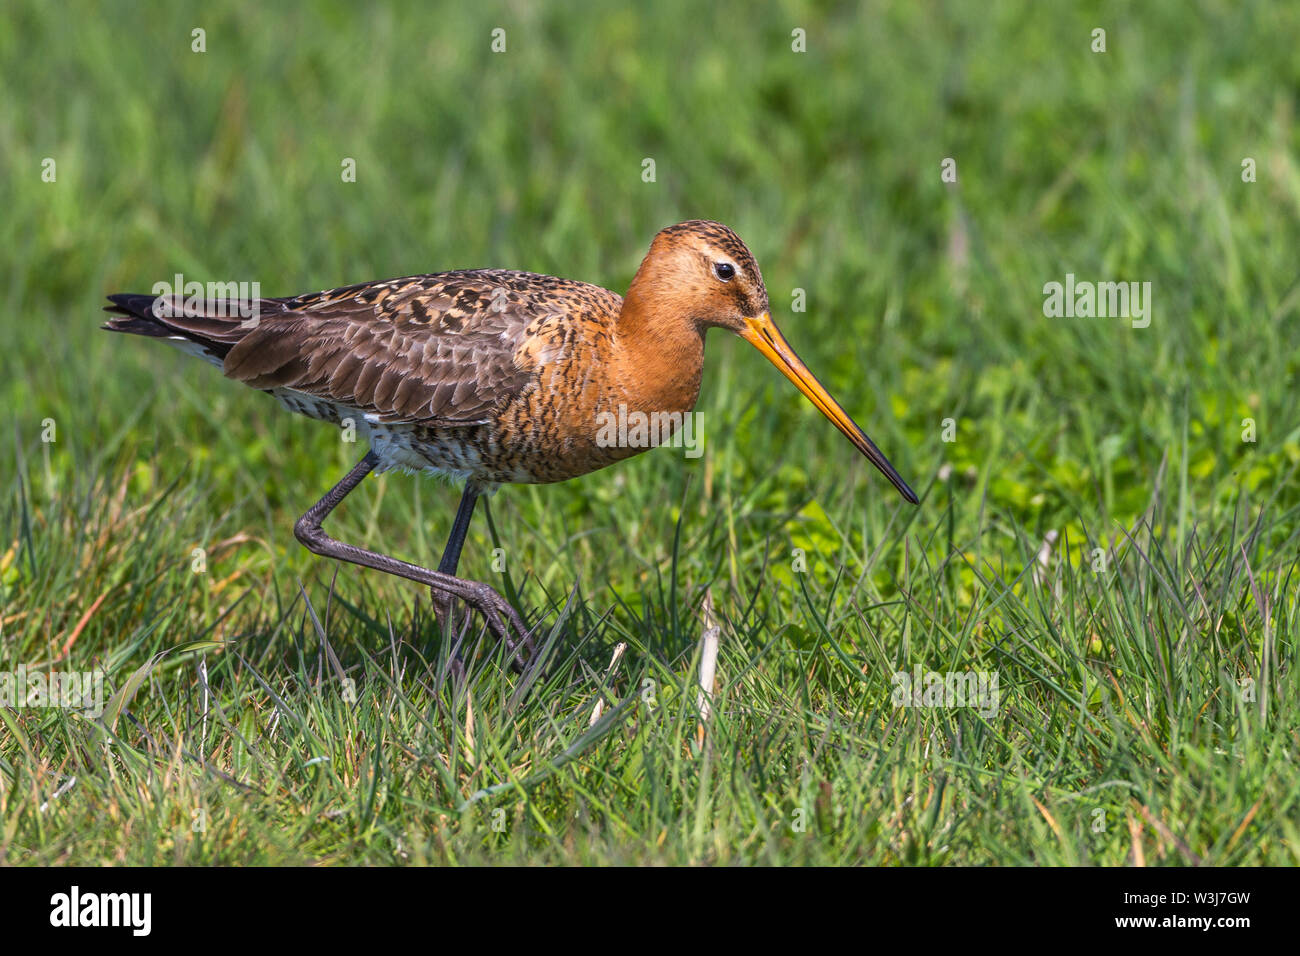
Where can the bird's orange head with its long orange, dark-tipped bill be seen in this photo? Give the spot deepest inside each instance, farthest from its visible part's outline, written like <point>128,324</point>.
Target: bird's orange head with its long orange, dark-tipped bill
<point>713,280</point>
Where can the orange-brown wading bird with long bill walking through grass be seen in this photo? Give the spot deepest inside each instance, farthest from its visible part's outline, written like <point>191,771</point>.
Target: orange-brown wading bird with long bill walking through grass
<point>491,377</point>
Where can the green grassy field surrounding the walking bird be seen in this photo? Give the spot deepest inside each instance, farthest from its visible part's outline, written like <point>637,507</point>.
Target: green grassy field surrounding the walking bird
<point>1111,518</point>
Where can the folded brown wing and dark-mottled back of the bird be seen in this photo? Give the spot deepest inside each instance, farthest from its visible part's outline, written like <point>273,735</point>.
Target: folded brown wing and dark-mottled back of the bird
<point>443,349</point>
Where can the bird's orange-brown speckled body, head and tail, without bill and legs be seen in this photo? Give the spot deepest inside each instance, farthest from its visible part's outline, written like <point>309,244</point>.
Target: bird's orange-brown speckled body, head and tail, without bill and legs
<point>488,375</point>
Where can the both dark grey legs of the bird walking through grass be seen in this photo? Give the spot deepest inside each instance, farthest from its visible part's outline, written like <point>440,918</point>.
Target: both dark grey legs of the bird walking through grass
<point>497,612</point>
